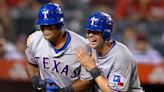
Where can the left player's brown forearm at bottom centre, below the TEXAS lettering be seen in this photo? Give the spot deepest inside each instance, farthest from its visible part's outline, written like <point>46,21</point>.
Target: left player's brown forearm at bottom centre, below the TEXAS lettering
<point>82,85</point>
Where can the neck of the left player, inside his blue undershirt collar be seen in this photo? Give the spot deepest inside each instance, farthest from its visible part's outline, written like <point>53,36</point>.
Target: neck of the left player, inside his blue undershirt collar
<point>60,40</point>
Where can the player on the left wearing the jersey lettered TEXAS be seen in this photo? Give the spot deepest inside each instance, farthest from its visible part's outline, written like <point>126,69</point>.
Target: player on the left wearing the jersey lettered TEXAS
<point>51,53</point>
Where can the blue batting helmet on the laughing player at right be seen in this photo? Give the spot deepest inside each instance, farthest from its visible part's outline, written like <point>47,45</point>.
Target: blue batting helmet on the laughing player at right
<point>101,22</point>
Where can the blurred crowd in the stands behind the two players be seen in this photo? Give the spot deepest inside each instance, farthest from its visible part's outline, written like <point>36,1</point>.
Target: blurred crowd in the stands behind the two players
<point>137,23</point>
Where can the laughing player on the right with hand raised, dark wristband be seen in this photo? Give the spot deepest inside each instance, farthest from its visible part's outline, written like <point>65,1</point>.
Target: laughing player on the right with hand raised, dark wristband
<point>110,64</point>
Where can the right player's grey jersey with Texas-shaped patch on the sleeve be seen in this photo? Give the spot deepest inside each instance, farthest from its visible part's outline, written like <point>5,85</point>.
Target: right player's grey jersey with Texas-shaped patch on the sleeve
<point>119,68</point>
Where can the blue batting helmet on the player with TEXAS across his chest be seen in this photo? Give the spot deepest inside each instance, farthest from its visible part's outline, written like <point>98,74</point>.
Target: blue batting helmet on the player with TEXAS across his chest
<point>50,14</point>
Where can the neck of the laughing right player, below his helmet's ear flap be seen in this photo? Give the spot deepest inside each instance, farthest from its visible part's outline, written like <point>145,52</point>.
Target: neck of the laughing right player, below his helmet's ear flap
<point>106,47</point>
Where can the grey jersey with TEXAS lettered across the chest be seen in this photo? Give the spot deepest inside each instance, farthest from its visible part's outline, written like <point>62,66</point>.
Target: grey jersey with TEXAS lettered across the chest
<point>60,65</point>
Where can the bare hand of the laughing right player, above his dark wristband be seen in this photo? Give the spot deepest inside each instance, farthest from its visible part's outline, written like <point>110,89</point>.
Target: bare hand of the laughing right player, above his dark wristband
<point>87,61</point>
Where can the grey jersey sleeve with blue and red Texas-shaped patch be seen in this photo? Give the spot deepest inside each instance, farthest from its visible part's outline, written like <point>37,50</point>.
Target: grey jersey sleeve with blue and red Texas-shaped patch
<point>120,75</point>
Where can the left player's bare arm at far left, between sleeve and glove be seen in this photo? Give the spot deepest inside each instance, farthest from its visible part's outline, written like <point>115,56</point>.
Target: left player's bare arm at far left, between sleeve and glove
<point>31,70</point>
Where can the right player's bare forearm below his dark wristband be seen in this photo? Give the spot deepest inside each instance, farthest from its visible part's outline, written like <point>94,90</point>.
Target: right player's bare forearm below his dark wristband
<point>103,84</point>
